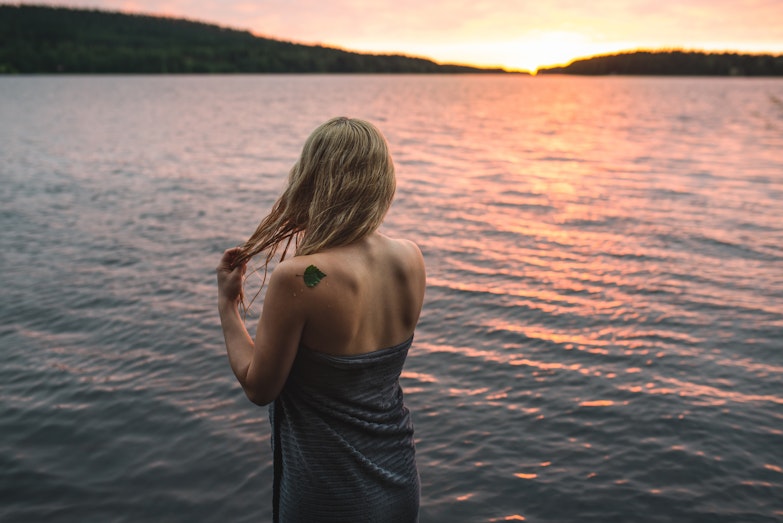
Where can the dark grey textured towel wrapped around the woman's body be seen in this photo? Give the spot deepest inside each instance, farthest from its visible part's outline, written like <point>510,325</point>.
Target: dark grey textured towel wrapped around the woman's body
<point>343,440</point>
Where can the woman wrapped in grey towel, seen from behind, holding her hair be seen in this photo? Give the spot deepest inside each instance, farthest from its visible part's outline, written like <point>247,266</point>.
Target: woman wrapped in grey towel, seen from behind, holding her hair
<point>337,321</point>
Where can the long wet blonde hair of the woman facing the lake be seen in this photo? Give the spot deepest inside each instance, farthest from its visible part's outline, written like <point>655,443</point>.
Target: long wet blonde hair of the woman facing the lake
<point>338,192</point>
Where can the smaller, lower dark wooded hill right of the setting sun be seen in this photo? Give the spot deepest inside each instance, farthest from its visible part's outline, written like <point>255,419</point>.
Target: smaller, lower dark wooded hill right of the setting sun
<point>675,63</point>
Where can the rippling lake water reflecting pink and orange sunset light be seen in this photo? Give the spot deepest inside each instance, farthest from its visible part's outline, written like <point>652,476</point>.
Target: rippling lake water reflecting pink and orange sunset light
<point>602,337</point>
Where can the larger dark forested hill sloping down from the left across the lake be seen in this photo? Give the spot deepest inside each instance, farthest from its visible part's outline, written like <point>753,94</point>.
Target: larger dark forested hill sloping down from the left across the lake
<point>42,39</point>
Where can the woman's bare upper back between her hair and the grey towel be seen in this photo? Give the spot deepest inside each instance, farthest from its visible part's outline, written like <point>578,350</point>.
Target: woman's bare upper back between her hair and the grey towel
<point>370,299</point>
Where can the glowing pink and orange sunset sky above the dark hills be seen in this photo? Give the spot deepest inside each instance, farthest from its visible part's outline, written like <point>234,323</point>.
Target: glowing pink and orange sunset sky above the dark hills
<point>514,34</point>
